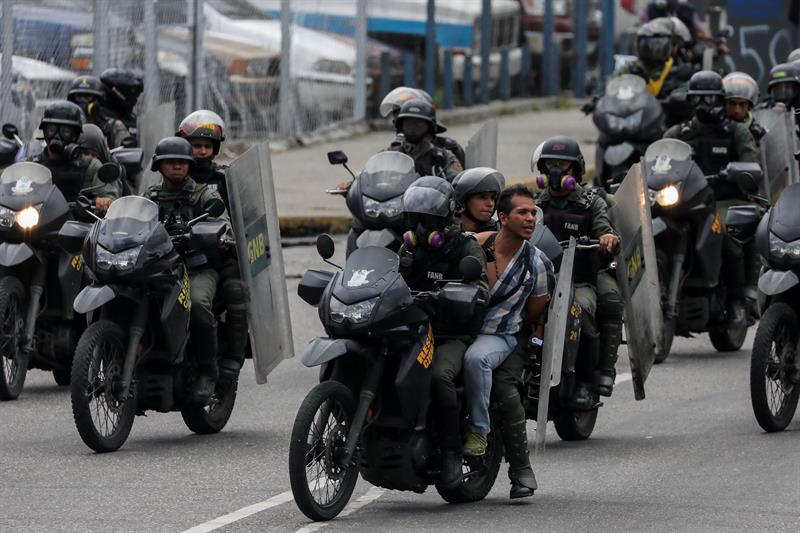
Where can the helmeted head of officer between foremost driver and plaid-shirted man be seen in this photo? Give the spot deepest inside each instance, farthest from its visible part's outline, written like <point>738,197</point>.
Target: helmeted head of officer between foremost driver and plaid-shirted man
<point>476,192</point>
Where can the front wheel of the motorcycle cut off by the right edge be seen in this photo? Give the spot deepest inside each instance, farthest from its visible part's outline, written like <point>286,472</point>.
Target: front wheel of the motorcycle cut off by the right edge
<point>774,371</point>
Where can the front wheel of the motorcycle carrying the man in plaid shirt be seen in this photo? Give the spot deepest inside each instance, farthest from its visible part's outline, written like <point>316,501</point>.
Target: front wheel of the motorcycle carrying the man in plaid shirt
<point>321,484</point>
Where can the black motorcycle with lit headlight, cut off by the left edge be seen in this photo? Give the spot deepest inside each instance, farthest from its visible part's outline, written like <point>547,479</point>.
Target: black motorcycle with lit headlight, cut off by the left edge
<point>39,280</point>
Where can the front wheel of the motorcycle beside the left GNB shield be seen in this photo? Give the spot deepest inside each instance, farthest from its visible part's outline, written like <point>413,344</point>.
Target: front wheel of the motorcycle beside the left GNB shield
<point>103,418</point>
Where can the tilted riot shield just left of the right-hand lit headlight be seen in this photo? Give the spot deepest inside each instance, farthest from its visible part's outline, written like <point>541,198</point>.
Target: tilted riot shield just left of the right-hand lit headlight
<point>637,275</point>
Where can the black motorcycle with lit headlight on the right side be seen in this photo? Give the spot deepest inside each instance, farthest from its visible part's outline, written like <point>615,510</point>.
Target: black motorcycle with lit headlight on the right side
<point>689,238</point>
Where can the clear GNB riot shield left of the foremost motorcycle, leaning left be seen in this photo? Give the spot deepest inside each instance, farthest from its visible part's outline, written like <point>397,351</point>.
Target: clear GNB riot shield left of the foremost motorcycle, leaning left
<point>254,216</point>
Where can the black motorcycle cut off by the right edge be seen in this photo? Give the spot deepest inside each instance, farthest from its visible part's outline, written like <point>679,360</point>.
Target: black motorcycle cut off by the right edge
<point>774,362</point>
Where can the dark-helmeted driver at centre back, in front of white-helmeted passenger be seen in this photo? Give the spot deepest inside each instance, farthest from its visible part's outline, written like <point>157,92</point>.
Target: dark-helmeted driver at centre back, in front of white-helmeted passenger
<point>417,122</point>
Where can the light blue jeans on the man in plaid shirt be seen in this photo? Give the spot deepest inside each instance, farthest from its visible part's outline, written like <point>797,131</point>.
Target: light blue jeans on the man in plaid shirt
<point>484,355</point>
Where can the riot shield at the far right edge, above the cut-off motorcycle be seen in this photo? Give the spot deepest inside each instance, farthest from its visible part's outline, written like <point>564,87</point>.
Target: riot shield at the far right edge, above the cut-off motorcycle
<point>777,149</point>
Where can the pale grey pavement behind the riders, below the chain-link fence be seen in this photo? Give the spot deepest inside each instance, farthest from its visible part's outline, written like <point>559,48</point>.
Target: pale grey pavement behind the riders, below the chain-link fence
<point>303,174</point>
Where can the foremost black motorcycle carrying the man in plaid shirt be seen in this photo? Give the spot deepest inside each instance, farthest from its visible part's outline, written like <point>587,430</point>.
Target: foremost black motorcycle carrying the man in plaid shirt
<point>371,412</point>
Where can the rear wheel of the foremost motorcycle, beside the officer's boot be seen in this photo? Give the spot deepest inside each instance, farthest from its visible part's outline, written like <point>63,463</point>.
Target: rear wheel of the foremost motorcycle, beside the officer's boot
<point>479,474</point>
